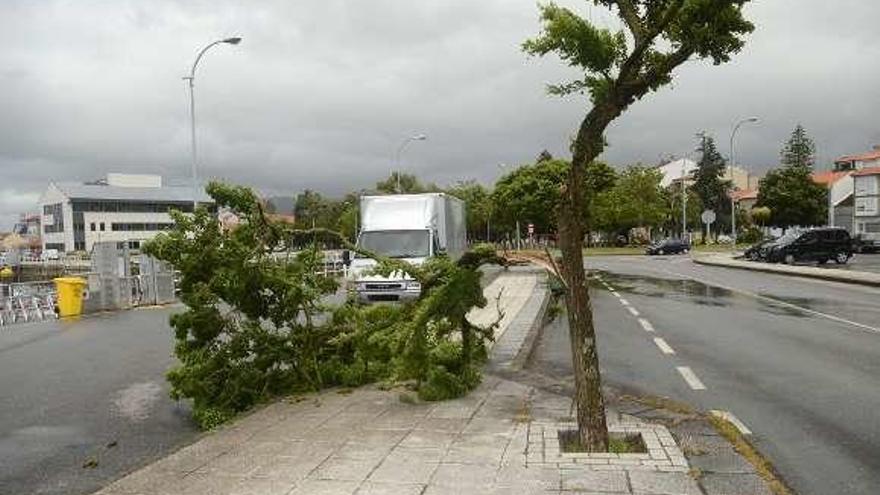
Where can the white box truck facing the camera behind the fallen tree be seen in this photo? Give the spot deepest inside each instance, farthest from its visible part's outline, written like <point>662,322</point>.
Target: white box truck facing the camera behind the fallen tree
<point>409,227</point>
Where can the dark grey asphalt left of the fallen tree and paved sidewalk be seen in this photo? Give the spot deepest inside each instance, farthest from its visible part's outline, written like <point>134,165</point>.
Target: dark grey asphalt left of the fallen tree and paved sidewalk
<point>89,390</point>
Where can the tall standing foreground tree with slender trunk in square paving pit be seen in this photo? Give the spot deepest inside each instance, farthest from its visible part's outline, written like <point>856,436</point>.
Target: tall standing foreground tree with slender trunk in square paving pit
<point>618,68</point>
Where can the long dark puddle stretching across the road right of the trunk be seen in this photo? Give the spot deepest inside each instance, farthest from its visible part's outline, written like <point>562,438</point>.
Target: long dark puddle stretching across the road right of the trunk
<point>696,292</point>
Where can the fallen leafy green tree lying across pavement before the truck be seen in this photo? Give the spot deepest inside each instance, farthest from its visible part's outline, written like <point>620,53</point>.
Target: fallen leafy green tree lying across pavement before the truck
<point>258,322</point>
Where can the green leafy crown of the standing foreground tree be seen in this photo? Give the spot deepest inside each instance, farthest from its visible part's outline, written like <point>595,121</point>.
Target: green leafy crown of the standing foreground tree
<point>621,67</point>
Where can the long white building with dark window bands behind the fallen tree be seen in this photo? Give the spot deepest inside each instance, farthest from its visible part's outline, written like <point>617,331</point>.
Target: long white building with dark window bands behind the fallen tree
<point>123,207</point>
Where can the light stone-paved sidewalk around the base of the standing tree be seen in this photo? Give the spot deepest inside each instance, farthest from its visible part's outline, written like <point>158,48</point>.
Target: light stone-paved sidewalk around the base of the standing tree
<point>501,438</point>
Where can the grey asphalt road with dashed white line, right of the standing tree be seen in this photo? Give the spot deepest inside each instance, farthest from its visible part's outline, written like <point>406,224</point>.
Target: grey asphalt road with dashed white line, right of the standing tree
<point>796,360</point>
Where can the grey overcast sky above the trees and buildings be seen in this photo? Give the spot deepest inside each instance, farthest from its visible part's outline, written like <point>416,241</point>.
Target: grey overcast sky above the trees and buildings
<point>321,92</point>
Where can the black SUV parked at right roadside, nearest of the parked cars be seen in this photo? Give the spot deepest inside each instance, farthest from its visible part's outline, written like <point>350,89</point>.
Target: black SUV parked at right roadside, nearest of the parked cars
<point>820,245</point>
